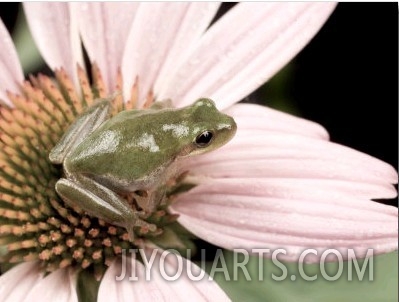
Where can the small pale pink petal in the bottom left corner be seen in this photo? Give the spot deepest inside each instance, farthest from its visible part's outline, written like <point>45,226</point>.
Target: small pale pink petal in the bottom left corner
<point>16,283</point>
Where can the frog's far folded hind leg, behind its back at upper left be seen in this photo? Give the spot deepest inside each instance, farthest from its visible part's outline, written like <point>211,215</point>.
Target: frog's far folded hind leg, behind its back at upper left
<point>84,124</point>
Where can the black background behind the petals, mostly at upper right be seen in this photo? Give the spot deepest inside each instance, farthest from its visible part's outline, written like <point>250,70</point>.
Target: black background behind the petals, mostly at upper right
<point>346,79</point>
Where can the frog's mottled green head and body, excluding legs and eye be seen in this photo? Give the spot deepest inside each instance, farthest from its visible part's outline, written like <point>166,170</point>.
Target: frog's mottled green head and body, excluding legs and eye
<point>134,149</point>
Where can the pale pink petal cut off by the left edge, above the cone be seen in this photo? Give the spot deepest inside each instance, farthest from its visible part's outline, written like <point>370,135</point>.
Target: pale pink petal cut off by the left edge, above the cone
<point>11,74</point>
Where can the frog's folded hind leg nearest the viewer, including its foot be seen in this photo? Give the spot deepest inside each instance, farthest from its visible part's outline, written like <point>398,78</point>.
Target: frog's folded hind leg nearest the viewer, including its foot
<point>101,202</point>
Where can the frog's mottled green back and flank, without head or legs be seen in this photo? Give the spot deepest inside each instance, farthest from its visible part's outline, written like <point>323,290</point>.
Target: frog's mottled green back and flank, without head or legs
<point>124,150</point>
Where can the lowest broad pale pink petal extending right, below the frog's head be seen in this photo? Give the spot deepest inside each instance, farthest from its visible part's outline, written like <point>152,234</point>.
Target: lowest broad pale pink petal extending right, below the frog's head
<point>288,214</point>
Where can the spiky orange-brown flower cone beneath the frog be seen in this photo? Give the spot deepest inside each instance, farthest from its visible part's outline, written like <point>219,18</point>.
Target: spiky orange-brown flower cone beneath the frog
<point>35,222</point>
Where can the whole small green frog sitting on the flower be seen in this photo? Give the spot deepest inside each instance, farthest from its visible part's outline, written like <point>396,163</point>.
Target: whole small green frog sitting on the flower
<point>105,157</point>
